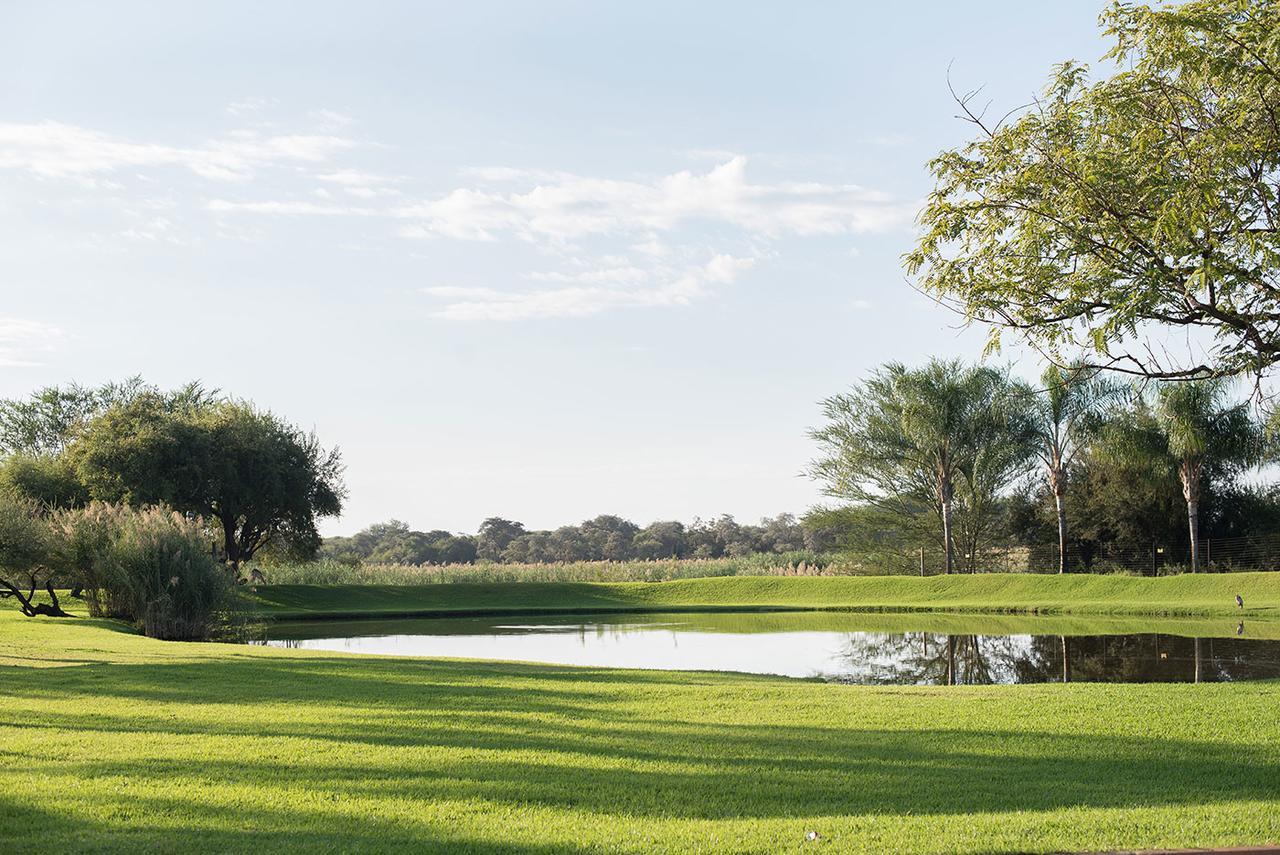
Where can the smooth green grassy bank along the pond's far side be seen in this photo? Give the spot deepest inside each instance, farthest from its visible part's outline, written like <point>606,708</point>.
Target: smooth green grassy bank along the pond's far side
<point>1208,595</point>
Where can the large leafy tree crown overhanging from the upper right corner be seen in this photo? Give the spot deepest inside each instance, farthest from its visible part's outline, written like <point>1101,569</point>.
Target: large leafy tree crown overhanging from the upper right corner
<point>1112,213</point>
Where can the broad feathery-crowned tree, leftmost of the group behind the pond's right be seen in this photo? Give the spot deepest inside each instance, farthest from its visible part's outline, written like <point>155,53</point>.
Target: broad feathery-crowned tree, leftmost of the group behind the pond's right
<point>908,438</point>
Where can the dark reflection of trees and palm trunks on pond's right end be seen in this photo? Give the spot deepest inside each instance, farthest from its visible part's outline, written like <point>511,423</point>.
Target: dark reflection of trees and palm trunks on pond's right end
<point>930,659</point>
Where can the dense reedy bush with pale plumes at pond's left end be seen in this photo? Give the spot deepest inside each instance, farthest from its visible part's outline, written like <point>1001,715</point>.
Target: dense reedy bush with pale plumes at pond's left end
<point>149,566</point>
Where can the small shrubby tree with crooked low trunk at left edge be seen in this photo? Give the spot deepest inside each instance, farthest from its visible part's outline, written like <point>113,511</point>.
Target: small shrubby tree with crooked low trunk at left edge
<point>25,550</point>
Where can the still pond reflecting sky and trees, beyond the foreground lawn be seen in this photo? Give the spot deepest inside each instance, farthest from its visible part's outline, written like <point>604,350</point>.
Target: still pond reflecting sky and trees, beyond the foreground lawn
<point>874,650</point>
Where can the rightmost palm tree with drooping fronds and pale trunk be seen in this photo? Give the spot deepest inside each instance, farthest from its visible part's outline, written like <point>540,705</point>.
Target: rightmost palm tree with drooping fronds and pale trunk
<point>1196,432</point>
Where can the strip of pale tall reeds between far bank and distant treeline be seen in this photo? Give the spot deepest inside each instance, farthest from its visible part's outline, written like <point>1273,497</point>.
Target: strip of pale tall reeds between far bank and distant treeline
<point>332,573</point>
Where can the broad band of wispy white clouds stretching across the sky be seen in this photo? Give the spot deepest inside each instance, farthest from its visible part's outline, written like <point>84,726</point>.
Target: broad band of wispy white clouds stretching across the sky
<point>621,243</point>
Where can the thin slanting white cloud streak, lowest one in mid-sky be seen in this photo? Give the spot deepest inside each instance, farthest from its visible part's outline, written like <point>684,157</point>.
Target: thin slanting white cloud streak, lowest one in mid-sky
<point>584,300</point>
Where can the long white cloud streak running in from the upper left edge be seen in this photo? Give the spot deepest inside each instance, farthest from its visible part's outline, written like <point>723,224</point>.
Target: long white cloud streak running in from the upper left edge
<point>57,150</point>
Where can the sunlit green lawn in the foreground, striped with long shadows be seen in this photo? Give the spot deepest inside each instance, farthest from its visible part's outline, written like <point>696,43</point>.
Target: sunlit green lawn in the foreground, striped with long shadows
<point>116,743</point>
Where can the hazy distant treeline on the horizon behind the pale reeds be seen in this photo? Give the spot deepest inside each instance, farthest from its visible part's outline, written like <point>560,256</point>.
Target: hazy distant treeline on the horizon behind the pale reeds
<point>605,538</point>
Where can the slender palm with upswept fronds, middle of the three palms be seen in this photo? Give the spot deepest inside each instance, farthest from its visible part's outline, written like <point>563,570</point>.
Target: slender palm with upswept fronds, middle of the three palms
<point>1067,418</point>
